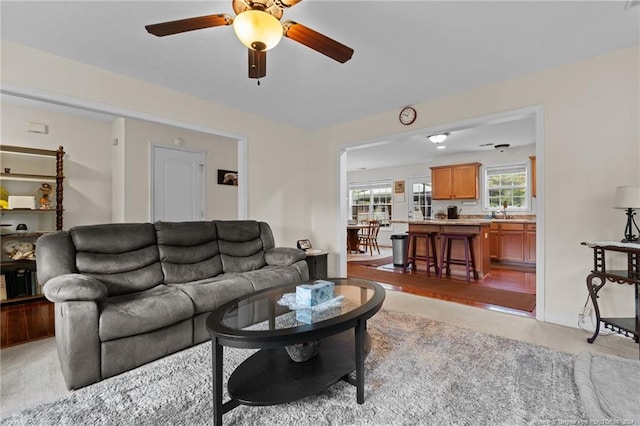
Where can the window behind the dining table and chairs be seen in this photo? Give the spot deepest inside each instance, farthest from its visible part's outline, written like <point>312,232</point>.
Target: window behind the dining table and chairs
<point>371,200</point>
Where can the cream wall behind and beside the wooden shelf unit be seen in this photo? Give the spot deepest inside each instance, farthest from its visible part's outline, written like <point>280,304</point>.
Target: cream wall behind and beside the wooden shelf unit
<point>87,166</point>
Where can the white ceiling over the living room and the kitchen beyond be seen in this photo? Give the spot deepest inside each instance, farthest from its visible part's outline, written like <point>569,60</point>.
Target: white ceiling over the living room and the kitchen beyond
<point>406,52</point>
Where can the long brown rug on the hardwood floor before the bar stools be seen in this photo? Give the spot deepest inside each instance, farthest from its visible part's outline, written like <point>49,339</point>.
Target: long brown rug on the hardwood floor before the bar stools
<point>452,290</point>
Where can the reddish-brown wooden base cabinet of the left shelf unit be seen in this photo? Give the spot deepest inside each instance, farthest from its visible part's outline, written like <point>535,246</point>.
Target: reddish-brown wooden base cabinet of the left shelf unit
<point>24,322</point>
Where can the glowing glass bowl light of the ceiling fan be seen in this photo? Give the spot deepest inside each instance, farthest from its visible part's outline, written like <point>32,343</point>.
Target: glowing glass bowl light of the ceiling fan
<point>258,30</point>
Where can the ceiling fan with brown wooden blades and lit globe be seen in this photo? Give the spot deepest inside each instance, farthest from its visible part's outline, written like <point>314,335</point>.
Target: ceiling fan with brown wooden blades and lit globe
<point>257,25</point>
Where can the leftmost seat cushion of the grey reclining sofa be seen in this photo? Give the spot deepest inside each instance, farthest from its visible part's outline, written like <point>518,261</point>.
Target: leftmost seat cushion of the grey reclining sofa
<point>143,311</point>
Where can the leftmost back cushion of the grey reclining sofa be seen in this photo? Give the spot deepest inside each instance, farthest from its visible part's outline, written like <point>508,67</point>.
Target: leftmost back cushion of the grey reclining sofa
<point>123,256</point>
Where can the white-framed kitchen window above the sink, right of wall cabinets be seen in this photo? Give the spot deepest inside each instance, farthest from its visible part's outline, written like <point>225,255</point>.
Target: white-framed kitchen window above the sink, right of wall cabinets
<point>506,184</point>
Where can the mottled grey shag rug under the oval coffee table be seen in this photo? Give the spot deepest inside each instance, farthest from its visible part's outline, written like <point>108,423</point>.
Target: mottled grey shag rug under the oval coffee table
<point>418,372</point>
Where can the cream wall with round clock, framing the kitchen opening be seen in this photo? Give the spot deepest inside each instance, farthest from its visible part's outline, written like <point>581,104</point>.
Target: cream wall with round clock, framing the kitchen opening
<point>591,128</point>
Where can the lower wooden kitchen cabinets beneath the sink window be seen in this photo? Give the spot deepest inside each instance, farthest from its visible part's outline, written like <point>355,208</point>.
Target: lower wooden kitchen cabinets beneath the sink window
<point>513,242</point>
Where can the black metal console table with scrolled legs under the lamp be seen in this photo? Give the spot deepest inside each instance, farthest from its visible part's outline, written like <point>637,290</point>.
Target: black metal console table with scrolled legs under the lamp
<point>627,326</point>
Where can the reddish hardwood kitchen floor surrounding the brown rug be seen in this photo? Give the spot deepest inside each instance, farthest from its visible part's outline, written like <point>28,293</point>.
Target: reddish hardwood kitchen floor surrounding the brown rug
<point>511,278</point>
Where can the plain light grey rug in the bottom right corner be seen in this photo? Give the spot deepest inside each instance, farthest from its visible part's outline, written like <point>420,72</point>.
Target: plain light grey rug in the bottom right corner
<point>609,388</point>
